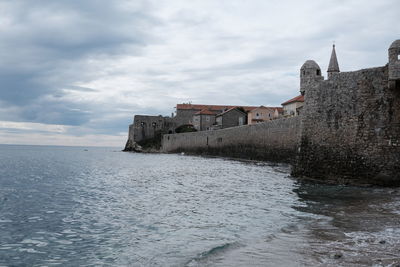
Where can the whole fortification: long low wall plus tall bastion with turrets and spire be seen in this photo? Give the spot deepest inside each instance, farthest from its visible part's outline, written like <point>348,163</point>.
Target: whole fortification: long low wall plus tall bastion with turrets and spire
<point>349,130</point>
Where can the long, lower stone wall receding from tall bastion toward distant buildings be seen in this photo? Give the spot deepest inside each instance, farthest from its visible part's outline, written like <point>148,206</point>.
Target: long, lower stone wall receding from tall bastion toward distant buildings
<point>273,140</point>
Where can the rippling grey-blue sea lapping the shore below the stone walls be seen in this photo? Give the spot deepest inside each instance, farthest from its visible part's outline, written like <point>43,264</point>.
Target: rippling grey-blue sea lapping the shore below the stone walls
<point>85,206</point>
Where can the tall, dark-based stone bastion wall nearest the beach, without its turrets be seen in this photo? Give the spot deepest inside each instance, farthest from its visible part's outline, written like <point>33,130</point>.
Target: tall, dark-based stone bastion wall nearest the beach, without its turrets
<point>351,129</point>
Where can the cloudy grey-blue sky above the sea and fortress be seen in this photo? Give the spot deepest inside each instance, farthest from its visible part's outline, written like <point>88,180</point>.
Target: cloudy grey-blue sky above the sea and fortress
<point>75,72</point>
